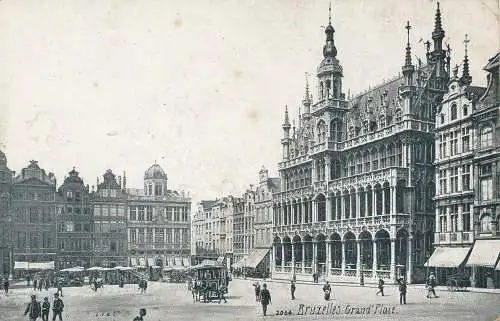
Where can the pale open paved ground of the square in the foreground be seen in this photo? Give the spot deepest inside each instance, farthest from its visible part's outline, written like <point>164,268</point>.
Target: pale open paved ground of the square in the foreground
<point>173,302</point>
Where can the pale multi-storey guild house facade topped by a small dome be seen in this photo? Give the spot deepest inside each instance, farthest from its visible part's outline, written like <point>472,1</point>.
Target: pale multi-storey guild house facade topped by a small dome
<point>159,223</point>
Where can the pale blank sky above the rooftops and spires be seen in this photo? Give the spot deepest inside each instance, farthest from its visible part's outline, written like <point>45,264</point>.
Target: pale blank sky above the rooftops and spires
<point>199,87</point>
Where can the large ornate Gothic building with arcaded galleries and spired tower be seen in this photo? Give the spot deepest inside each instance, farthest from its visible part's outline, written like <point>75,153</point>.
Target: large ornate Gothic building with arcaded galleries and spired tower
<point>356,200</point>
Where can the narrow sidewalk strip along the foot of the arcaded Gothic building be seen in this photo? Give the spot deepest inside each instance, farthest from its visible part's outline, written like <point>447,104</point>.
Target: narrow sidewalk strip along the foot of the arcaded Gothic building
<point>369,285</point>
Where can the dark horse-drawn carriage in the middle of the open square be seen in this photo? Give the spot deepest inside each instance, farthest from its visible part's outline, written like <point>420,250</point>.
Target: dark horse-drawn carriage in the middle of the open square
<point>210,277</point>
